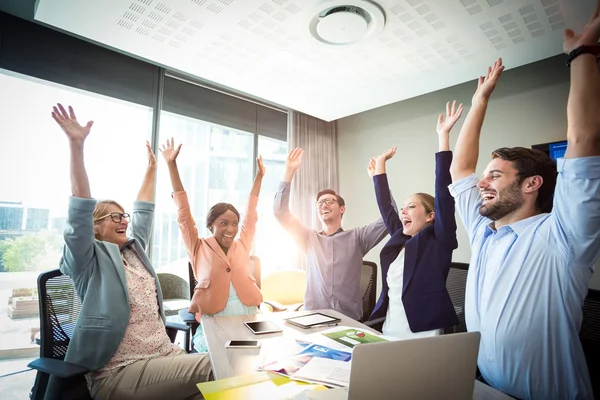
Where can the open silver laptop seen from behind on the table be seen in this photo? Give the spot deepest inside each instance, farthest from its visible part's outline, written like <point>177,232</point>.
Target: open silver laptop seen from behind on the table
<point>439,367</point>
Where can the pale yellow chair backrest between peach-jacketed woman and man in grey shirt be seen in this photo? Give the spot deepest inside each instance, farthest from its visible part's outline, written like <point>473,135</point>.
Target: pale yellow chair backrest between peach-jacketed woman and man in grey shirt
<point>285,286</point>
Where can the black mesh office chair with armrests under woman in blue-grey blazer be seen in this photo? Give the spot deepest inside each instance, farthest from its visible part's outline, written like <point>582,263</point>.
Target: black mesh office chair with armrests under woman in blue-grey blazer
<point>59,310</point>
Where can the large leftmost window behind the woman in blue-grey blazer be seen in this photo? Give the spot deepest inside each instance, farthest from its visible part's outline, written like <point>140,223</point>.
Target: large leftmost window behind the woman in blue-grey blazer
<point>35,184</point>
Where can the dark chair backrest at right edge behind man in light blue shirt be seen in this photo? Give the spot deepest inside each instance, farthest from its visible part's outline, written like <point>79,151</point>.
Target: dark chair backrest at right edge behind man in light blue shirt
<point>590,337</point>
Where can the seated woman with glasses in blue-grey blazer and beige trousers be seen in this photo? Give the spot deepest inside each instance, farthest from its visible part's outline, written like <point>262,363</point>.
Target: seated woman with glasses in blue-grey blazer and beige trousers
<point>120,334</point>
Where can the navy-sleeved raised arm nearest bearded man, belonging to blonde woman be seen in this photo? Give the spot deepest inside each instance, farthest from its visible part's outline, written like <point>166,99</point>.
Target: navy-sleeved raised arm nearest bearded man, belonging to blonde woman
<point>445,223</point>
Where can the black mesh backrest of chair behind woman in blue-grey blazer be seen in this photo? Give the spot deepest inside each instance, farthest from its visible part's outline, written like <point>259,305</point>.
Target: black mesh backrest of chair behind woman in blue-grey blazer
<point>59,309</point>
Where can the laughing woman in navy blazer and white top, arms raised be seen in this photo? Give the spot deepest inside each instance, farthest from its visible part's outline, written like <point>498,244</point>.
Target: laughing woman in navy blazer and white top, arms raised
<point>415,262</point>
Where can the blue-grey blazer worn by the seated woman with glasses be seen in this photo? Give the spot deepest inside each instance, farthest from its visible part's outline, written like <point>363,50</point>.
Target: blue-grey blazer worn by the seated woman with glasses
<point>98,273</point>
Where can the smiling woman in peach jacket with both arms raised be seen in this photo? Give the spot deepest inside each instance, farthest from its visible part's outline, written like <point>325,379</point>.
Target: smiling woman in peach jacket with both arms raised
<point>226,285</point>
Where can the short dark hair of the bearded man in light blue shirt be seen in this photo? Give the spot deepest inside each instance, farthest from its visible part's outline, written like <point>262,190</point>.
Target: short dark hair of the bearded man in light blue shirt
<point>530,162</point>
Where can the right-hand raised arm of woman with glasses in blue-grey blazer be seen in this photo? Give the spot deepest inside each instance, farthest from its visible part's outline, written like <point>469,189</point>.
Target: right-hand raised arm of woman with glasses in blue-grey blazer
<point>143,207</point>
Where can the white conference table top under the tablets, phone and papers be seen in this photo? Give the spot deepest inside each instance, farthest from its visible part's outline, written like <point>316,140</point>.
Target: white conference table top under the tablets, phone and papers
<point>227,363</point>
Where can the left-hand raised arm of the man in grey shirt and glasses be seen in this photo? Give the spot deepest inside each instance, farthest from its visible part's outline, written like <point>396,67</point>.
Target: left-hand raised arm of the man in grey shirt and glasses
<point>281,206</point>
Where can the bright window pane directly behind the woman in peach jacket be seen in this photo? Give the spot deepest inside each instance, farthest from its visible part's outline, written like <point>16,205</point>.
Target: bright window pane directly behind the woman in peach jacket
<point>216,164</point>
